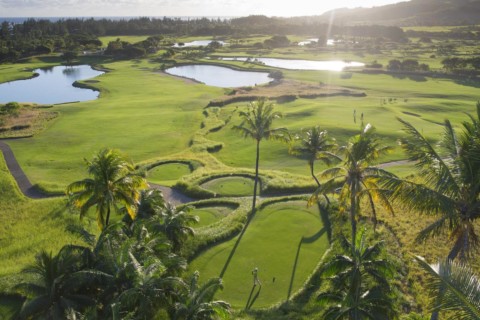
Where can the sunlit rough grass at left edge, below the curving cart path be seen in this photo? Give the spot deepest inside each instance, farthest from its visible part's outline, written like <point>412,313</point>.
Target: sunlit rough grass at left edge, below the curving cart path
<point>28,226</point>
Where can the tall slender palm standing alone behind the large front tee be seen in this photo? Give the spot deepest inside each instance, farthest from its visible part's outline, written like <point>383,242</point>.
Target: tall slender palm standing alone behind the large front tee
<point>257,124</point>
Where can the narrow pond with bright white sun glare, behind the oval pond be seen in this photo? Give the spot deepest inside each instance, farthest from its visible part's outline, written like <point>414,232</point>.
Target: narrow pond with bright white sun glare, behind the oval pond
<point>329,65</point>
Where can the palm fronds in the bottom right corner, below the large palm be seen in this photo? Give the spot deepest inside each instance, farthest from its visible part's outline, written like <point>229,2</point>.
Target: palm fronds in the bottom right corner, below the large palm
<point>456,288</point>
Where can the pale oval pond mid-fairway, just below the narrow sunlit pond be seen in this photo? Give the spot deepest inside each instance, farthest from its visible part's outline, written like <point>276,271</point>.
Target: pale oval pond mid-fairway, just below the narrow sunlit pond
<point>220,76</point>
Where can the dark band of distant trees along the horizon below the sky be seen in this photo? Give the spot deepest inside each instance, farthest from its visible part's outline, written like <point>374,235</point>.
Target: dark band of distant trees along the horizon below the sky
<point>42,36</point>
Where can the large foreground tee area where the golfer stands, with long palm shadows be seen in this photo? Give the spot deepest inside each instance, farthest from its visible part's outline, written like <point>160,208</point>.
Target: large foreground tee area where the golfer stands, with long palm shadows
<point>285,241</point>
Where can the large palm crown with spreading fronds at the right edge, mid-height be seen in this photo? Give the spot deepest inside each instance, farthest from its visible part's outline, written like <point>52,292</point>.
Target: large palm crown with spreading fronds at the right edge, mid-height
<point>451,188</point>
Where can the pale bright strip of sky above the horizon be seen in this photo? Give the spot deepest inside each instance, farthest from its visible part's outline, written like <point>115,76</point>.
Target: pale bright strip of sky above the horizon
<point>160,8</point>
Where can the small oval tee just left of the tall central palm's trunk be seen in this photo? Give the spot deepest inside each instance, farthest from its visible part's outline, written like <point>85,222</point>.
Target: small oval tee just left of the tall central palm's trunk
<point>230,186</point>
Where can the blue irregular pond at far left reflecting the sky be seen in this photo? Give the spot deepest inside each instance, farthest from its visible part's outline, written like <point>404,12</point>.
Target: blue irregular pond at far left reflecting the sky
<point>53,85</point>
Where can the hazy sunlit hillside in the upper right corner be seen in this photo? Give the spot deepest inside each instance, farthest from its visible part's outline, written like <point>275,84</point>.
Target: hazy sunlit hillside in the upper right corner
<point>411,13</point>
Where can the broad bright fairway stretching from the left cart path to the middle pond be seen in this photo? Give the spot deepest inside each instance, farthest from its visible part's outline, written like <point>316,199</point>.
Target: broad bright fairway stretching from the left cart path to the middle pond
<point>143,113</point>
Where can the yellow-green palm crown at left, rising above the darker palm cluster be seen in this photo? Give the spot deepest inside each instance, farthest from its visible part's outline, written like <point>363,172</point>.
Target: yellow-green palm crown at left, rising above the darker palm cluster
<point>113,182</point>
